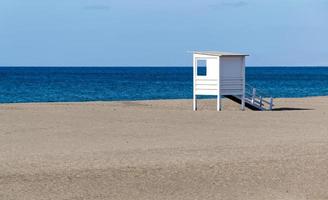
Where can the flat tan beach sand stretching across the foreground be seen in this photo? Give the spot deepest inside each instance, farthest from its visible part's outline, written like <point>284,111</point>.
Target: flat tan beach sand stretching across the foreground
<point>163,150</point>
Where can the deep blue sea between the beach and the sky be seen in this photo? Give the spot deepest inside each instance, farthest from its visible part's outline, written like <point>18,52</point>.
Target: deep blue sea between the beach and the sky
<point>76,84</point>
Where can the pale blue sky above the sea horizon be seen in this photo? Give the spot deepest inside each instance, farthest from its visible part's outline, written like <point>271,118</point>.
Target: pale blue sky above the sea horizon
<point>160,32</point>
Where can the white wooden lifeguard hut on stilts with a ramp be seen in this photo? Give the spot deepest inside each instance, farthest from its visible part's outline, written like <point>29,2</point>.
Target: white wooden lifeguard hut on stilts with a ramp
<point>224,76</point>
